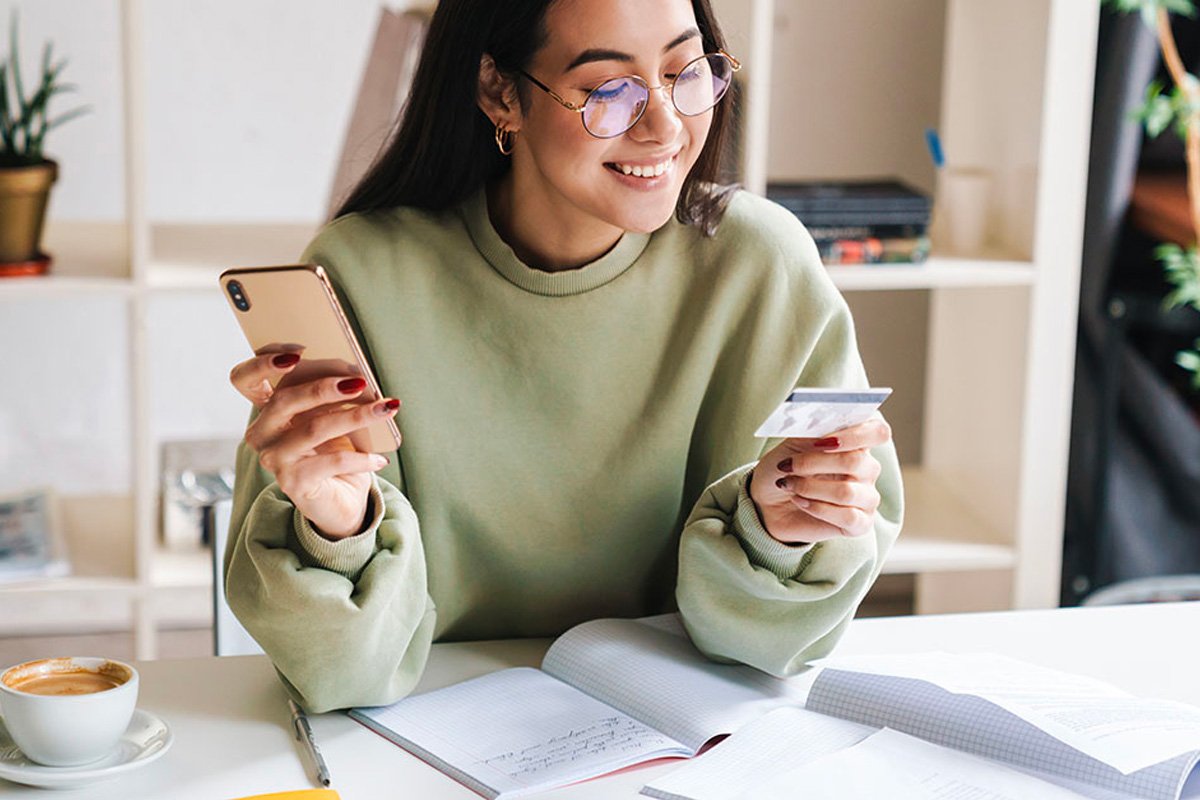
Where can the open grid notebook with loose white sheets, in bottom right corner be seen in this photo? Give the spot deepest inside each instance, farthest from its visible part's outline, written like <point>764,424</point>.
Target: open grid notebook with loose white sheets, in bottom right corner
<point>952,726</point>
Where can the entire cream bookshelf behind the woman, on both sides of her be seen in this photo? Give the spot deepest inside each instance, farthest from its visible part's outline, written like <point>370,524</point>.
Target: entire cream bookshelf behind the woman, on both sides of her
<point>982,425</point>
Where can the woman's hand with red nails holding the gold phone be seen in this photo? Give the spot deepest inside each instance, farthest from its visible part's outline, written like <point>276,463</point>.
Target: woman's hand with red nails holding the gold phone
<point>302,437</point>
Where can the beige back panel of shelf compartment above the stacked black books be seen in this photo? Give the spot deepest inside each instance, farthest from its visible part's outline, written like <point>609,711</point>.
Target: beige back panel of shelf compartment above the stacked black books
<point>886,56</point>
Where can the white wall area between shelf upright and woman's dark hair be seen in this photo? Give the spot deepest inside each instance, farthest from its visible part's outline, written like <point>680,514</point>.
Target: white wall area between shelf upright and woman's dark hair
<point>247,104</point>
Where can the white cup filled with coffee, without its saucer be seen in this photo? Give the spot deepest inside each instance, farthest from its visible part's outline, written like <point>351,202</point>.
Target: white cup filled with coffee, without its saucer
<point>68,712</point>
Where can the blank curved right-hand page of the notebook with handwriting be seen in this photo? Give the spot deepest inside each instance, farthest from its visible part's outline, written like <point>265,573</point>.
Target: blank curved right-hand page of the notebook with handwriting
<point>658,677</point>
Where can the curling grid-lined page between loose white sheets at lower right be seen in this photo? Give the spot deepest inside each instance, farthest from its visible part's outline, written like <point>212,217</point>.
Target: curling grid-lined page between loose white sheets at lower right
<point>976,726</point>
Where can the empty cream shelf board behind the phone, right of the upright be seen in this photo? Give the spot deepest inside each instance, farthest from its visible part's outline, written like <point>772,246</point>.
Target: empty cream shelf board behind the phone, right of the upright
<point>187,256</point>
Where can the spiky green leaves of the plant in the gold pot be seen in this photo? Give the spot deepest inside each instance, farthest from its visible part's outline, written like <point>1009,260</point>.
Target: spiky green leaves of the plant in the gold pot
<point>25,119</point>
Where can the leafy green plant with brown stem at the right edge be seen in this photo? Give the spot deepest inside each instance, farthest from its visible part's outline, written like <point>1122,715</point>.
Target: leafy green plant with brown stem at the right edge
<point>1178,109</point>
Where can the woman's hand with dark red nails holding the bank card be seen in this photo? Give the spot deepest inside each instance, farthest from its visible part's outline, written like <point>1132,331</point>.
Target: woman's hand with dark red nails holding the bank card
<point>814,490</point>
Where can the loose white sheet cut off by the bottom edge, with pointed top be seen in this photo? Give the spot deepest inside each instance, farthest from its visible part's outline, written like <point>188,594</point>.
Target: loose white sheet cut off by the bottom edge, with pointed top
<point>893,766</point>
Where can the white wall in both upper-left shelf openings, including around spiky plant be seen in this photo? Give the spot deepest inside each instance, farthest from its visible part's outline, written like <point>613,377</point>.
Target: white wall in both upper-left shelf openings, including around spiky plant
<point>245,104</point>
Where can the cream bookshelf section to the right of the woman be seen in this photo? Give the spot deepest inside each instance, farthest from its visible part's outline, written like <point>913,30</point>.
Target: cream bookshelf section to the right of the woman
<point>983,429</point>
